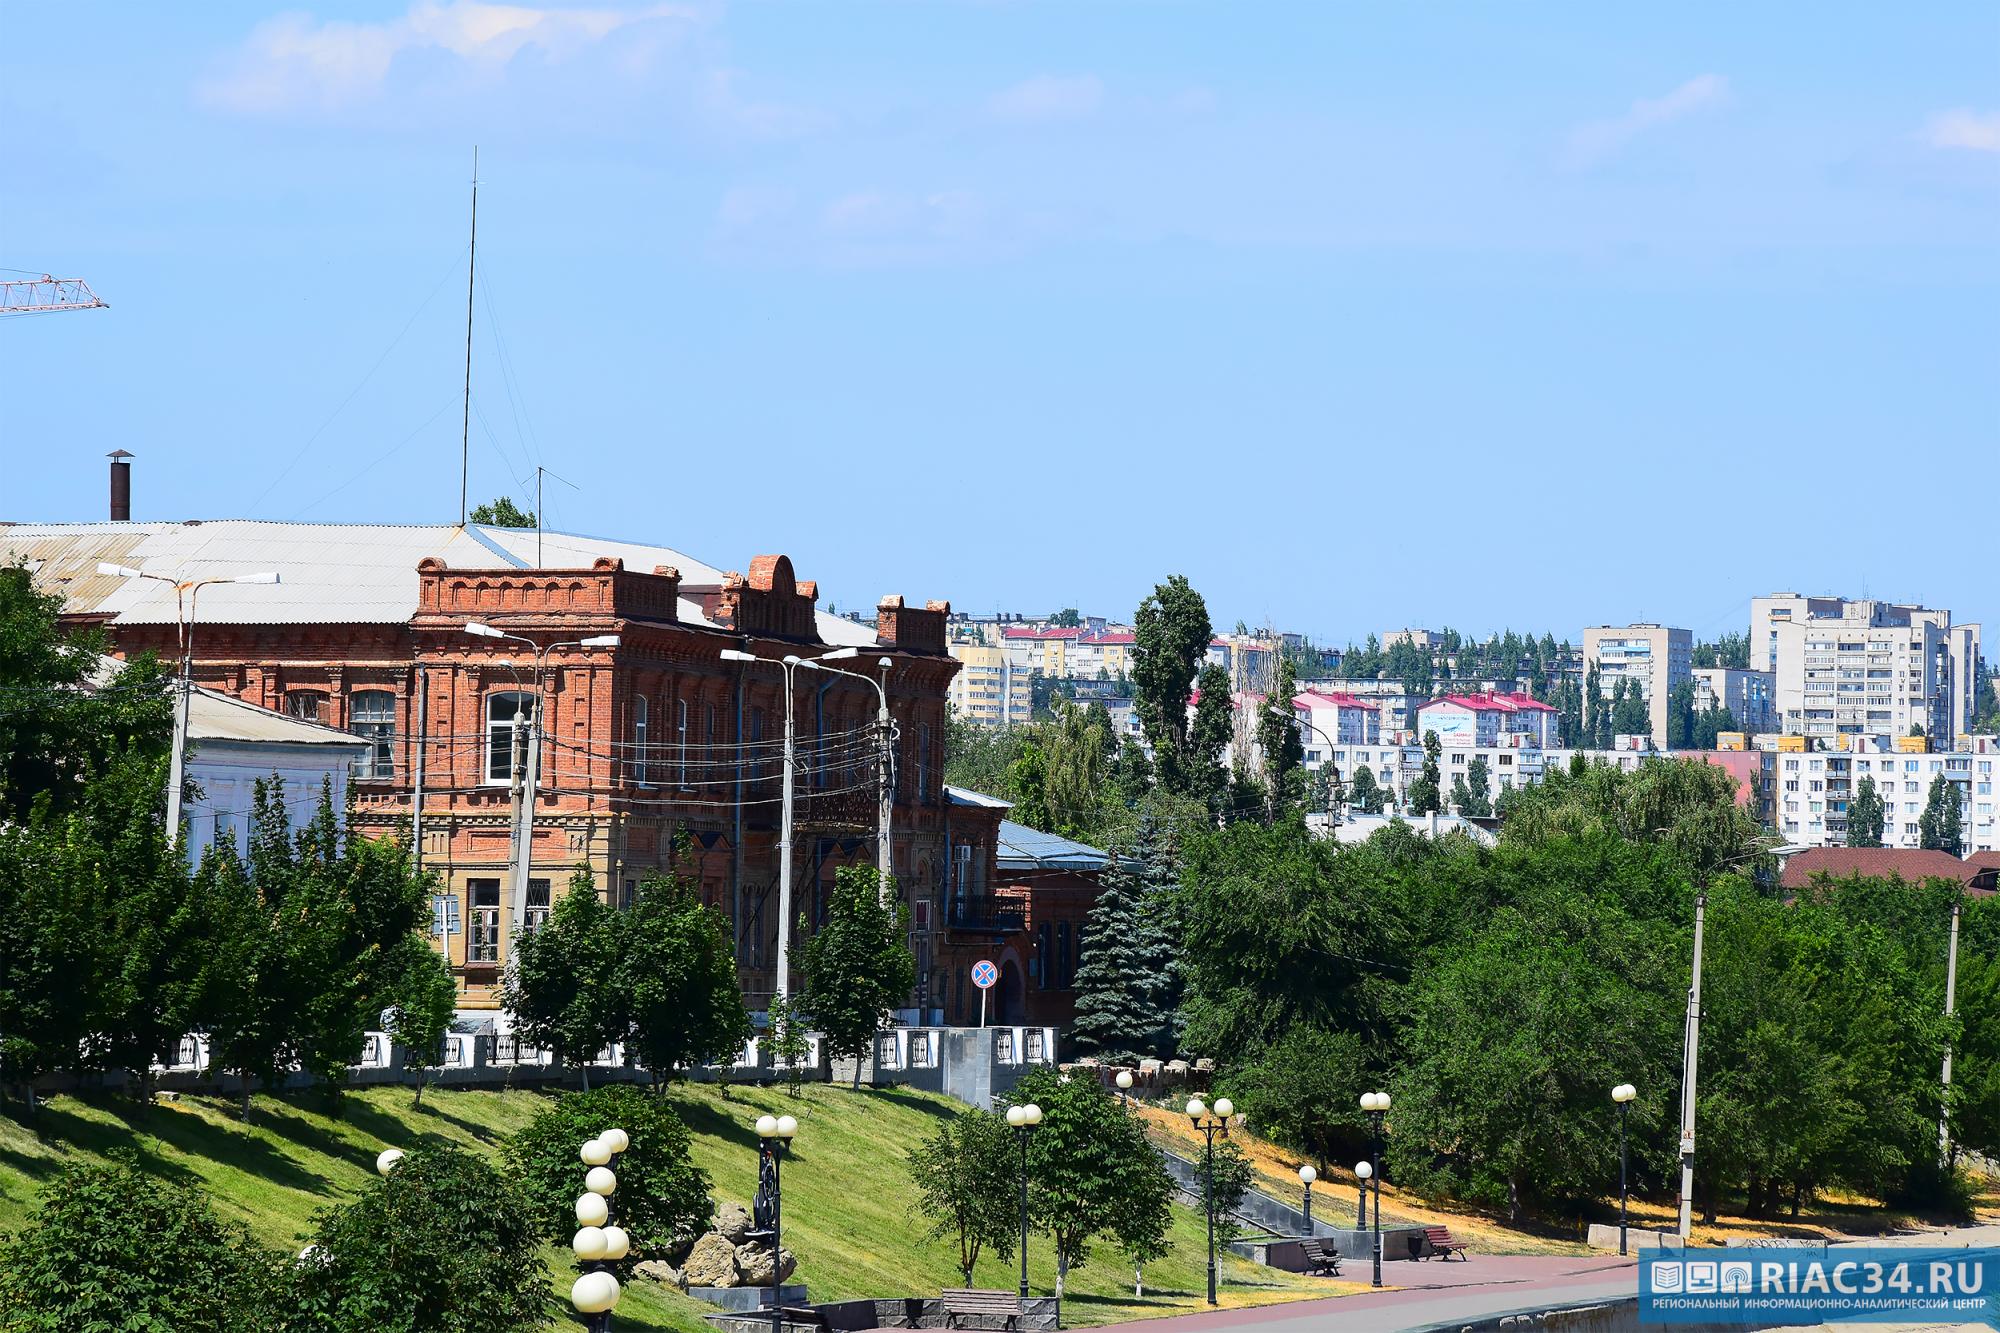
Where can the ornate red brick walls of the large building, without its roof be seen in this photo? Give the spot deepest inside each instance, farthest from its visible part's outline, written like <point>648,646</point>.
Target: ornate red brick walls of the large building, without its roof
<point>711,730</point>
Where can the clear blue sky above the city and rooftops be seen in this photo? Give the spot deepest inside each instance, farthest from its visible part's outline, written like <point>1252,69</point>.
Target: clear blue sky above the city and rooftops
<point>1355,315</point>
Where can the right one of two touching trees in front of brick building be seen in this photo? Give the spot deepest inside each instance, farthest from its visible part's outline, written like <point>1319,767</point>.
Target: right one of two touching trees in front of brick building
<point>677,988</point>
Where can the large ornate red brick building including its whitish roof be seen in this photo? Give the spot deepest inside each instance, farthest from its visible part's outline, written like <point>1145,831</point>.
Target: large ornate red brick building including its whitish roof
<point>643,744</point>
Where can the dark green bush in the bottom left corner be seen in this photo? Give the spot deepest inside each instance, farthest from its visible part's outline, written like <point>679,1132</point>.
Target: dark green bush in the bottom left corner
<point>119,1250</point>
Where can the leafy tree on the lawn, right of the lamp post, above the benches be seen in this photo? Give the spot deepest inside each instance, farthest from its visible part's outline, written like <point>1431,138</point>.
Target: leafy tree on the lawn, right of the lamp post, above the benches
<point>1091,1172</point>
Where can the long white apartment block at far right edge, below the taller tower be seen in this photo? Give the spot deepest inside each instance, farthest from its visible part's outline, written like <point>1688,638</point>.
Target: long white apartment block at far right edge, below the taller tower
<point>1815,790</point>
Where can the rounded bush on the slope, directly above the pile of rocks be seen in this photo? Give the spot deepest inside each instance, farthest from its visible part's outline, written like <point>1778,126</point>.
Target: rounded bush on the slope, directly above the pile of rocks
<point>661,1194</point>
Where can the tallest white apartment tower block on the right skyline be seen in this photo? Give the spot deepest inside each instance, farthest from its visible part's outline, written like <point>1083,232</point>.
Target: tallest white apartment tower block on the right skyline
<point>1867,670</point>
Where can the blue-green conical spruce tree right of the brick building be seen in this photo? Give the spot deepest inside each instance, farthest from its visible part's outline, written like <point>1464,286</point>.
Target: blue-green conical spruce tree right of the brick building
<point>1125,984</point>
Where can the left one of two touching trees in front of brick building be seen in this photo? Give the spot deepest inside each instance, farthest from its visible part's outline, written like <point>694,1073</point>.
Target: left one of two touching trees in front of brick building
<point>565,984</point>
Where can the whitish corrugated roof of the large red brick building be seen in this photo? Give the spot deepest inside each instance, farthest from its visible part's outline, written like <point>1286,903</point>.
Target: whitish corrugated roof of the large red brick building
<point>331,573</point>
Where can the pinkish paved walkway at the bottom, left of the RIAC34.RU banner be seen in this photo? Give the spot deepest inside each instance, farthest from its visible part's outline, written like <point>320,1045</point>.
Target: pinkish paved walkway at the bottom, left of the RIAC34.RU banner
<point>1433,1292</point>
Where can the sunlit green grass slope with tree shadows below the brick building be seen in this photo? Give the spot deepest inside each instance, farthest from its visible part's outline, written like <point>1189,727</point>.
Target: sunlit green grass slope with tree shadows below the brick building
<point>847,1194</point>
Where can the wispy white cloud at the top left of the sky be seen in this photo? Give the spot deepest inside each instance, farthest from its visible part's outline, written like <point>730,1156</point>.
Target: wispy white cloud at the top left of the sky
<point>297,61</point>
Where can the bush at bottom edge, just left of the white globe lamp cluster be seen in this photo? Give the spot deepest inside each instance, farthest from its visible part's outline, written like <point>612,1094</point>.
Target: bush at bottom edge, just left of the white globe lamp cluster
<point>443,1246</point>
